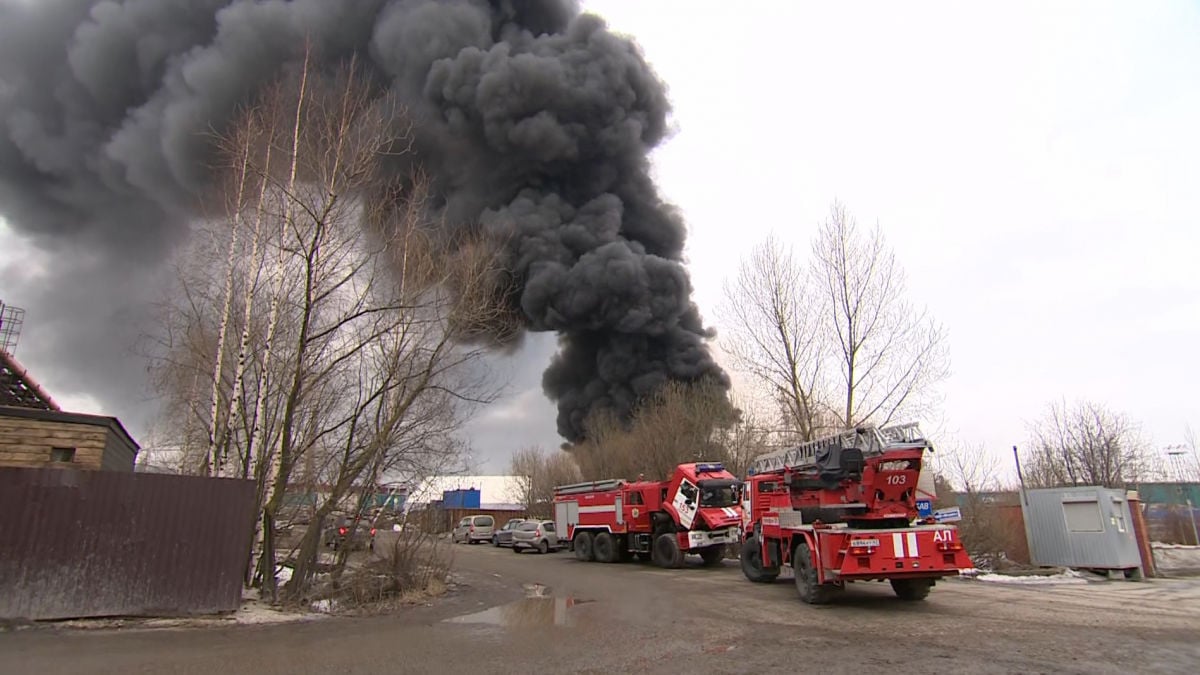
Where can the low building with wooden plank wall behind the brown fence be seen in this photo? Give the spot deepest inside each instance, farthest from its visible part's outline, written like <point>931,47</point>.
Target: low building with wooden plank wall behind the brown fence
<point>55,439</point>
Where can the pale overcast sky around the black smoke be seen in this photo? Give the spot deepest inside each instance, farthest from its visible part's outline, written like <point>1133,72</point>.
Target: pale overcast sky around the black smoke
<point>1034,165</point>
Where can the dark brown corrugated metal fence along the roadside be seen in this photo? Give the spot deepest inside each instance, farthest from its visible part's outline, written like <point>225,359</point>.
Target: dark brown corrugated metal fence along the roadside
<point>101,543</point>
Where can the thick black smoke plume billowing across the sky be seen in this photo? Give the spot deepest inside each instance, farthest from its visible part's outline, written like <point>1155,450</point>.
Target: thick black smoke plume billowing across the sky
<point>536,123</point>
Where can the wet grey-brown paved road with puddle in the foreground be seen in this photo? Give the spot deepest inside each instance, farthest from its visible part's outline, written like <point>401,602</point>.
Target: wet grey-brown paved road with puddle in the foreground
<point>597,618</point>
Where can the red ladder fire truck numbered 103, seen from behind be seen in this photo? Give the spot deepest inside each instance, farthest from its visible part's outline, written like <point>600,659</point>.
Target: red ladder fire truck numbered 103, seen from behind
<point>844,509</point>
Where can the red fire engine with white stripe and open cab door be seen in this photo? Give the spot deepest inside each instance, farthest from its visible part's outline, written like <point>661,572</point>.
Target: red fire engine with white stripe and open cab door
<point>695,511</point>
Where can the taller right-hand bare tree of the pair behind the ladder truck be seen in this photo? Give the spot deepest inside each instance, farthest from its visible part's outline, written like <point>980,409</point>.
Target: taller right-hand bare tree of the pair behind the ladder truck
<point>890,354</point>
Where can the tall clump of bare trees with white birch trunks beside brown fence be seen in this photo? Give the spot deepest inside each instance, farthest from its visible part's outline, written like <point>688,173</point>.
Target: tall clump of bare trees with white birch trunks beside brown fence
<point>361,366</point>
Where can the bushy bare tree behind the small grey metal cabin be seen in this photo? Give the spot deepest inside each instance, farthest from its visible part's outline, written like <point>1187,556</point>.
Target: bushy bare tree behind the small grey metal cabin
<point>1085,444</point>
